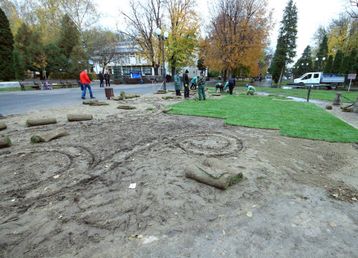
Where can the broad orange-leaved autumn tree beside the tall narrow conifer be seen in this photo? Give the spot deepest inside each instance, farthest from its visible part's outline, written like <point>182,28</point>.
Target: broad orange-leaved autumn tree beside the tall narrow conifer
<point>238,36</point>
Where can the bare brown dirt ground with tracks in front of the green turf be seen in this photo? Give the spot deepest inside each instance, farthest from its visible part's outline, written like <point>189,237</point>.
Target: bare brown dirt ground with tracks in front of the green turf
<point>70,197</point>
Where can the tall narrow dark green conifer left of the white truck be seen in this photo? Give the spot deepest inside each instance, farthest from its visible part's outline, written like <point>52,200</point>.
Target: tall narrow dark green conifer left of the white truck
<point>286,42</point>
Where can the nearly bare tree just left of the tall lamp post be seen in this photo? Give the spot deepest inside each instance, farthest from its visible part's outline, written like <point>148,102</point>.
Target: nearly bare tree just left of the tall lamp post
<point>143,19</point>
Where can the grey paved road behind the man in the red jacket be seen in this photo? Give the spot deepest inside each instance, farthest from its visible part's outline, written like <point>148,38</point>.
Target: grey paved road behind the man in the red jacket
<point>26,101</point>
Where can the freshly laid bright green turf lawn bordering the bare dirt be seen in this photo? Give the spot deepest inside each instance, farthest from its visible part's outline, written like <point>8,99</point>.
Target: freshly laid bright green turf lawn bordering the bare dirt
<point>294,119</point>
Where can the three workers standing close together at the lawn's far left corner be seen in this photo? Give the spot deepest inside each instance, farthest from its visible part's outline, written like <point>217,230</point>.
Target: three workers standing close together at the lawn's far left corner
<point>198,81</point>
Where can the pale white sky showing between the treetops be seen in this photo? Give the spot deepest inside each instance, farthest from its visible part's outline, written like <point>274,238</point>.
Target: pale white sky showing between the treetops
<point>311,15</point>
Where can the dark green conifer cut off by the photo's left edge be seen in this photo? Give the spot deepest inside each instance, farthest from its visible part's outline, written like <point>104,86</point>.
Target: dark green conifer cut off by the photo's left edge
<point>6,49</point>
